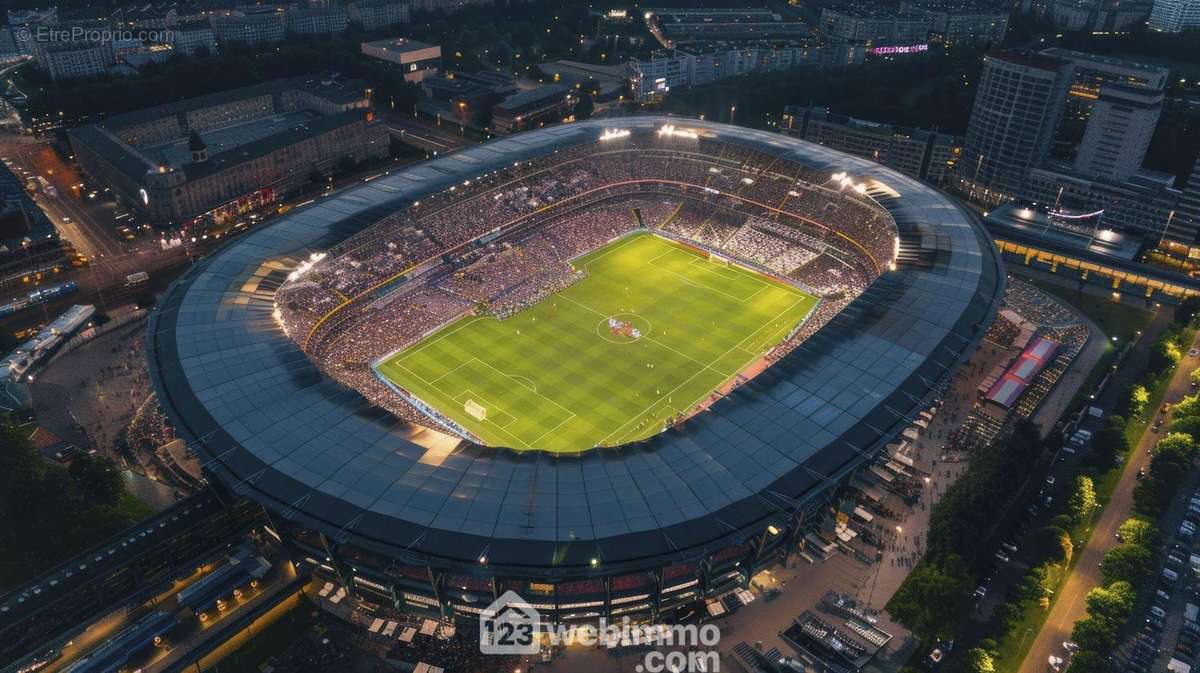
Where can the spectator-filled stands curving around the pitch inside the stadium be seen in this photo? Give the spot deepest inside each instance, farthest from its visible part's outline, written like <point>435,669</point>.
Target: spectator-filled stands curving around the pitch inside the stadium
<point>501,243</point>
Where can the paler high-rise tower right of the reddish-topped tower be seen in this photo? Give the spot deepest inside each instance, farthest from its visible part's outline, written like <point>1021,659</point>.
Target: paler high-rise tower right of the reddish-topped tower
<point>1119,133</point>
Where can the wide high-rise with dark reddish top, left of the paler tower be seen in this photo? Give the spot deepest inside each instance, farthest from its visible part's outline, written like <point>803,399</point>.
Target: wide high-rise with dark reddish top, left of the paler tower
<point>1016,113</point>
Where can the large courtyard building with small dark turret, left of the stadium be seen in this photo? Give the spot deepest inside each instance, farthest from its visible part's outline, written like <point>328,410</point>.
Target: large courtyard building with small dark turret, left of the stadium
<point>220,155</point>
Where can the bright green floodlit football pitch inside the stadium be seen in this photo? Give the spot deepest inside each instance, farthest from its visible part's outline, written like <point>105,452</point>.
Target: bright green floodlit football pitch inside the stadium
<point>554,377</point>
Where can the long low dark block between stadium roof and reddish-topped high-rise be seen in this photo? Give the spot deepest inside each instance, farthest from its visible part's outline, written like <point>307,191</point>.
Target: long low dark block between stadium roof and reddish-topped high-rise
<point>922,154</point>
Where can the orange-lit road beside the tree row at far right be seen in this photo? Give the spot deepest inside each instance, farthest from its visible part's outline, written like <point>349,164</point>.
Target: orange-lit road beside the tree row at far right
<point>1070,608</point>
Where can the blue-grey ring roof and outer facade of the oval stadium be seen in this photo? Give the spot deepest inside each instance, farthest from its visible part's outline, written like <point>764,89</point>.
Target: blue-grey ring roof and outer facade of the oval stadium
<point>644,530</point>
